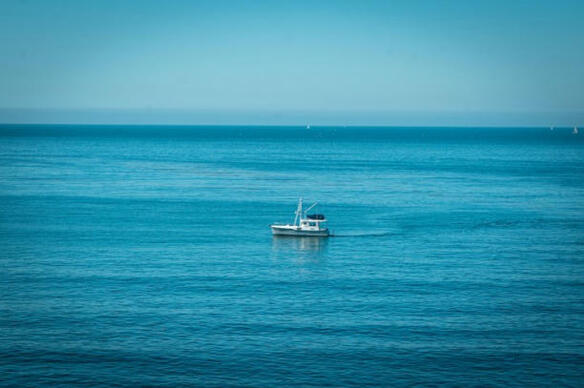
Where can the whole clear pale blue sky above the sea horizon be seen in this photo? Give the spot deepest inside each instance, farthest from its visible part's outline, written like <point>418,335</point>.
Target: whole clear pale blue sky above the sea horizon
<point>293,62</point>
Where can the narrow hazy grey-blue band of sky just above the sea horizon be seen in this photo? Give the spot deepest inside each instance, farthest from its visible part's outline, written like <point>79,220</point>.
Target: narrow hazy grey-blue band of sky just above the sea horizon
<point>290,118</point>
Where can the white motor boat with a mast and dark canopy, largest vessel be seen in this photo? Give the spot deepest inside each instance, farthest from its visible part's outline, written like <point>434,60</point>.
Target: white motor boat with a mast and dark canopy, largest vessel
<point>305,225</point>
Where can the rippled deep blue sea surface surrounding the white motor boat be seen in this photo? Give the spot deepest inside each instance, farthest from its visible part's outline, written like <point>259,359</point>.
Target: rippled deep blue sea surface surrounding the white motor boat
<point>142,256</point>
